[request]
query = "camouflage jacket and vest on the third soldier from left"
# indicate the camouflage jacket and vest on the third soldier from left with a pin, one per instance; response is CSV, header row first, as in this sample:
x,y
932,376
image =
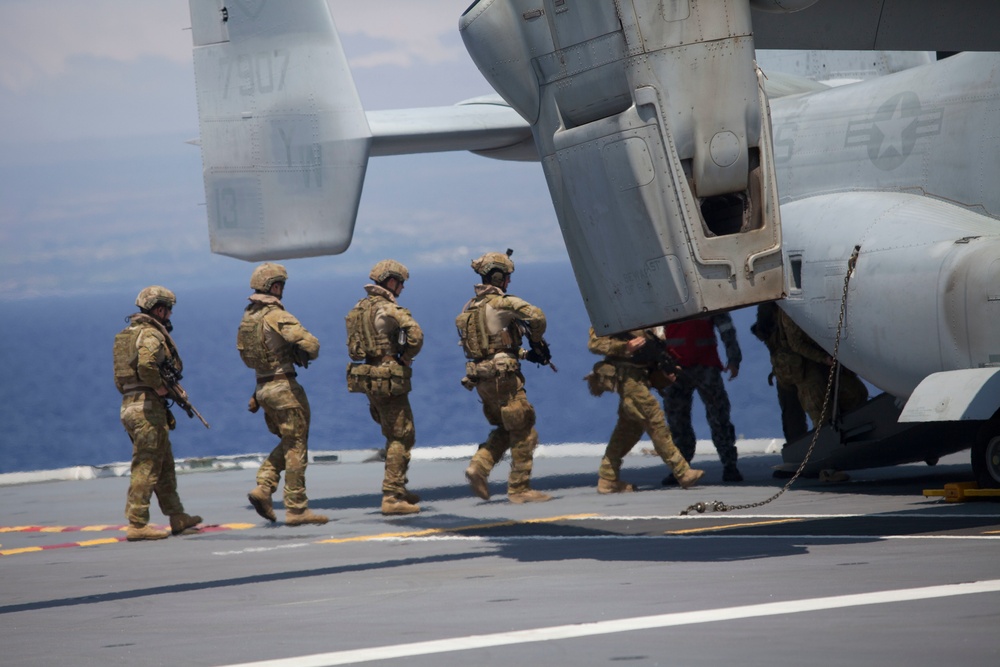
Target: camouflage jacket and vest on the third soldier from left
x,y
388,321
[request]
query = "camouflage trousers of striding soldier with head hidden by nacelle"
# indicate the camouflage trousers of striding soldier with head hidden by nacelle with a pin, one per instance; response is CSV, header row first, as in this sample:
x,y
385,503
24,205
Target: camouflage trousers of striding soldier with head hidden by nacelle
x,y
638,412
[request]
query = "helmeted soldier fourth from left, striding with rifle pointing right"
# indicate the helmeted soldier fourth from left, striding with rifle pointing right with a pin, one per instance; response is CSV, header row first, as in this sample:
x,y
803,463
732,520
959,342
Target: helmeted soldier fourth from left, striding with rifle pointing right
x,y
490,332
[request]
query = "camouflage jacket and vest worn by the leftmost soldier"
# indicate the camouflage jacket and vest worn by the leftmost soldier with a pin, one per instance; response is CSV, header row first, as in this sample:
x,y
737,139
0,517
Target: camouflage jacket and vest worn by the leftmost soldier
x,y
140,348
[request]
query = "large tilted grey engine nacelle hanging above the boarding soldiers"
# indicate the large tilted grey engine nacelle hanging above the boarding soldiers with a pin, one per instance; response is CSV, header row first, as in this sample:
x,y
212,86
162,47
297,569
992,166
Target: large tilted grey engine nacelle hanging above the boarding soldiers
x,y
654,134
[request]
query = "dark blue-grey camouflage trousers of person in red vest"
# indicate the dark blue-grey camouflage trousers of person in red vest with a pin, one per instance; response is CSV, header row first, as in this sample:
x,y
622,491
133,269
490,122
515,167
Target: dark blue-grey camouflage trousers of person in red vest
x,y
677,399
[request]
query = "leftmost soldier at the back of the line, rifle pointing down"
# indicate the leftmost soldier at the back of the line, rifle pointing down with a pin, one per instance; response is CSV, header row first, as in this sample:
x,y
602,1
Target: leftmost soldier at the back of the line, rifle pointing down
x,y
139,351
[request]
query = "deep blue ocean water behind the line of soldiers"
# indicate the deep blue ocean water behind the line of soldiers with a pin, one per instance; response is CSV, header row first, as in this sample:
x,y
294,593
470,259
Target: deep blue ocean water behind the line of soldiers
x,y
59,406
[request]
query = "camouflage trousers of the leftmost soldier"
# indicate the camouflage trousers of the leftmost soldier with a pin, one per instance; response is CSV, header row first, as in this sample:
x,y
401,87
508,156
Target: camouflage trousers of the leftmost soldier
x,y
144,417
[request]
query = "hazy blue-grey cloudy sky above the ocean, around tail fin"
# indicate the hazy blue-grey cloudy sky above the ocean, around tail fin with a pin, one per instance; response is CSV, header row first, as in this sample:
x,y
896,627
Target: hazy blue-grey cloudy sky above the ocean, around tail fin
x,y
100,191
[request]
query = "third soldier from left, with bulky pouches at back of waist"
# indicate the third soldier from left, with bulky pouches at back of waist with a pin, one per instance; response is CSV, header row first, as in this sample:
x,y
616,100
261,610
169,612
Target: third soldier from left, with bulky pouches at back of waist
x,y
385,338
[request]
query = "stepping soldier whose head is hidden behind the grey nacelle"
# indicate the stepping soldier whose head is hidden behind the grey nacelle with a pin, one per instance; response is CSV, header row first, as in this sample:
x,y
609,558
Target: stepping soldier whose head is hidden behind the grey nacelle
x,y
626,370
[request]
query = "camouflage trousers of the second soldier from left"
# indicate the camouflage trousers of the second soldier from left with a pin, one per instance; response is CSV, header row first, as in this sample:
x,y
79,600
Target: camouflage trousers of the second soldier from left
x,y
286,412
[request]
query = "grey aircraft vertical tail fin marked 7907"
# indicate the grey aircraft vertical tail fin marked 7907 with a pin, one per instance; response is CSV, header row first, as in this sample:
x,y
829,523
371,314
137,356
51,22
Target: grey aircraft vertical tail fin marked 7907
x,y
284,138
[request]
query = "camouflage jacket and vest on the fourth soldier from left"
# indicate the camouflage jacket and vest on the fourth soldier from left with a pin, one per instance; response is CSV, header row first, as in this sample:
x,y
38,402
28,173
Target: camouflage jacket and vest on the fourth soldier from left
x,y
494,327
